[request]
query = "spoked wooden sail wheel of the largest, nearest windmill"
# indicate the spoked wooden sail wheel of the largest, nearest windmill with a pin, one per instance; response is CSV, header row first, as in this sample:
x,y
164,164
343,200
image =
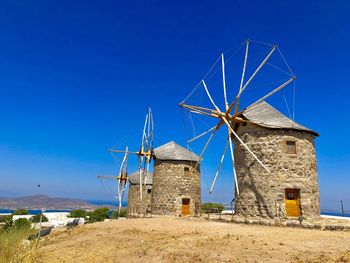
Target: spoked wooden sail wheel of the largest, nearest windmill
x,y
229,117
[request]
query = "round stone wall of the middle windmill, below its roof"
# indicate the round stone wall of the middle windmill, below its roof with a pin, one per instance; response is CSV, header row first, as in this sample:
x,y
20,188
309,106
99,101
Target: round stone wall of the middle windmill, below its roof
x,y
171,184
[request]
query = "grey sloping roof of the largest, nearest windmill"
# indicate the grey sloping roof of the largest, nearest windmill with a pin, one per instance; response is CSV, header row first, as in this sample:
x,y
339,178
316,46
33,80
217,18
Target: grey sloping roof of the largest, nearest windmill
x,y
265,115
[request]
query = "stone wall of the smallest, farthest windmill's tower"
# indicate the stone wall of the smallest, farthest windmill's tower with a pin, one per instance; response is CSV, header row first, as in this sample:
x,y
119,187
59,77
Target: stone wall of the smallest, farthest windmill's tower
x,y
135,206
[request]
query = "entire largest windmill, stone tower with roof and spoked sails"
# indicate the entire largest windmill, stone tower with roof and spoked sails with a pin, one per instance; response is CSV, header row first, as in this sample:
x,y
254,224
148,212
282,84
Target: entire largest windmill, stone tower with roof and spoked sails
x,y
270,178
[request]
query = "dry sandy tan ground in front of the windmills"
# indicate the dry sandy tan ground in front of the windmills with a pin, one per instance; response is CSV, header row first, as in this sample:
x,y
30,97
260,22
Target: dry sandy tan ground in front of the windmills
x,y
192,240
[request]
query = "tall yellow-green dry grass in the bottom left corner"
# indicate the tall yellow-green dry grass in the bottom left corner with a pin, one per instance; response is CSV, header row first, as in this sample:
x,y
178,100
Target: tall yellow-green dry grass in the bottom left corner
x,y
14,246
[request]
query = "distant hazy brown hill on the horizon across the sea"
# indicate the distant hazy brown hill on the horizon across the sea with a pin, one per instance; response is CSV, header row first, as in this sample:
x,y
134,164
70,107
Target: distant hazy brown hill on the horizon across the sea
x,y
45,202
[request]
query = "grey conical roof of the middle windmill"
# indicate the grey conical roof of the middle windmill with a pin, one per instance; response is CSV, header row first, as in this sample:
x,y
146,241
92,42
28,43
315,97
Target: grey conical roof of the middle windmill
x,y
175,152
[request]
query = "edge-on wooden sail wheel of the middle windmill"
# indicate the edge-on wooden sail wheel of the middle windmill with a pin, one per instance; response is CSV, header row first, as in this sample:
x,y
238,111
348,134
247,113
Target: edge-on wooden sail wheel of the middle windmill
x,y
145,153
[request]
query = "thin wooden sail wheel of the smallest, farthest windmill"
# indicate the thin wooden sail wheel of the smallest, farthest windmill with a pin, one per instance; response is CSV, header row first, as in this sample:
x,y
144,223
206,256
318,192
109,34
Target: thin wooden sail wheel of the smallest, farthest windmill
x,y
121,178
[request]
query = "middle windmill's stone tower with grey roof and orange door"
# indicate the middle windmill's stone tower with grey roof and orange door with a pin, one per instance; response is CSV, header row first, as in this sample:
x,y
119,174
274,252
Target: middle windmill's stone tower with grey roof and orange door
x,y
176,181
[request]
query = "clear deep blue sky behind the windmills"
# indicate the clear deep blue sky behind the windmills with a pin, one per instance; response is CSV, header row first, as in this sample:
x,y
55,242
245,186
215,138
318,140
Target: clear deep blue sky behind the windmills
x,y
76,77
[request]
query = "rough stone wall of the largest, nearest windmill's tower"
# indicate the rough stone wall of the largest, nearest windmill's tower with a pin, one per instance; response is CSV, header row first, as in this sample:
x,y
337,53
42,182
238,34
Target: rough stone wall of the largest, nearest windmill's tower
x,y
262,193
